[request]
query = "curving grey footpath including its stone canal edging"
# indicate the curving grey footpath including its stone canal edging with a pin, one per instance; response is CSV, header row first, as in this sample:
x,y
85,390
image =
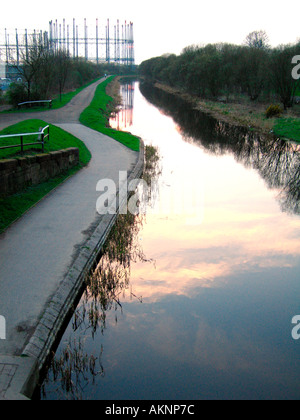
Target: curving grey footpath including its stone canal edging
x,y
44,255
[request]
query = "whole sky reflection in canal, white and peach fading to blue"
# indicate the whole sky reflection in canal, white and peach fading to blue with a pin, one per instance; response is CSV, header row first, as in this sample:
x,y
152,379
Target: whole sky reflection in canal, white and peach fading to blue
x,y
215,321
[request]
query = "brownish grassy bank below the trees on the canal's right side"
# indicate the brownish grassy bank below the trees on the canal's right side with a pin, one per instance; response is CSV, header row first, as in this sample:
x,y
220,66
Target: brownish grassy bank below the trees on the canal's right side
x,y
246,113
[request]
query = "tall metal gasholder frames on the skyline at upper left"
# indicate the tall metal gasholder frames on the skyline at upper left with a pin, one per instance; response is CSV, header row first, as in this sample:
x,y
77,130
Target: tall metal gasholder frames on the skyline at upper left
x,y
102,44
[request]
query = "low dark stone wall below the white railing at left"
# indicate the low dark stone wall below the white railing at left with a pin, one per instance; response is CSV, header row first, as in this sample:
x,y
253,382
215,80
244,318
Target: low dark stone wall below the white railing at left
x,y
18,174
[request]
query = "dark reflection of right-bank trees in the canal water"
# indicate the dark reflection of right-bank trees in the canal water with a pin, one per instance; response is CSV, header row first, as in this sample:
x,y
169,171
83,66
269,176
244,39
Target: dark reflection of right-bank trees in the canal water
x,y
277,161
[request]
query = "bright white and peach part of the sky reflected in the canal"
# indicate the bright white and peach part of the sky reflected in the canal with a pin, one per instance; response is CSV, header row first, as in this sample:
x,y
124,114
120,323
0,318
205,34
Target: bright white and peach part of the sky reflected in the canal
x,y
241,229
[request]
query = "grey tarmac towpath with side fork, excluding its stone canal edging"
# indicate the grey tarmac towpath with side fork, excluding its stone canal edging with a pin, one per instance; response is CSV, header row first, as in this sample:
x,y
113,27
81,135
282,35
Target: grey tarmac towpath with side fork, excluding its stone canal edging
x,y
37,251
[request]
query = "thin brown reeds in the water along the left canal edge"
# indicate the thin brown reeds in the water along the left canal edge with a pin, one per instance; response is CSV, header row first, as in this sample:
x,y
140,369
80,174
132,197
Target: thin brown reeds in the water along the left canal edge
x,y
74,368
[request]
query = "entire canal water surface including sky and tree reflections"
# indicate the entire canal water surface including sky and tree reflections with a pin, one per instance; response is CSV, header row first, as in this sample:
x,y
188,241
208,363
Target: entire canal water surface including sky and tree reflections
x,y
202,305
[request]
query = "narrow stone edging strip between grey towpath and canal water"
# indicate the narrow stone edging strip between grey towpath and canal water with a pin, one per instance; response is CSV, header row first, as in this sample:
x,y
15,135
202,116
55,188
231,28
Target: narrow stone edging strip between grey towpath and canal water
x,y
22,374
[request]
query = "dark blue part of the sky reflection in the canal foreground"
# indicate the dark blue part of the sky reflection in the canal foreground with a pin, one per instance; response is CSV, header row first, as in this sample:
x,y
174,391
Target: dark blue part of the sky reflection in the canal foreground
x,y
230,342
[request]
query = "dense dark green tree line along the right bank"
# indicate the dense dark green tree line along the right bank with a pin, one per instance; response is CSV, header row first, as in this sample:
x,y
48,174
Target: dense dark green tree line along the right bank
x,y
217,70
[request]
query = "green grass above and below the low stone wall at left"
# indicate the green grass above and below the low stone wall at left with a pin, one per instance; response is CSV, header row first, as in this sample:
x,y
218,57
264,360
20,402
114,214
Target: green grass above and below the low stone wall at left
x,y
13,207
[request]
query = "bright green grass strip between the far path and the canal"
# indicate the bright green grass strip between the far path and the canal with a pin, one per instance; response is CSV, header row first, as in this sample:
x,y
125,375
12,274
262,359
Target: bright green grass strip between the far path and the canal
x,y
97,114
